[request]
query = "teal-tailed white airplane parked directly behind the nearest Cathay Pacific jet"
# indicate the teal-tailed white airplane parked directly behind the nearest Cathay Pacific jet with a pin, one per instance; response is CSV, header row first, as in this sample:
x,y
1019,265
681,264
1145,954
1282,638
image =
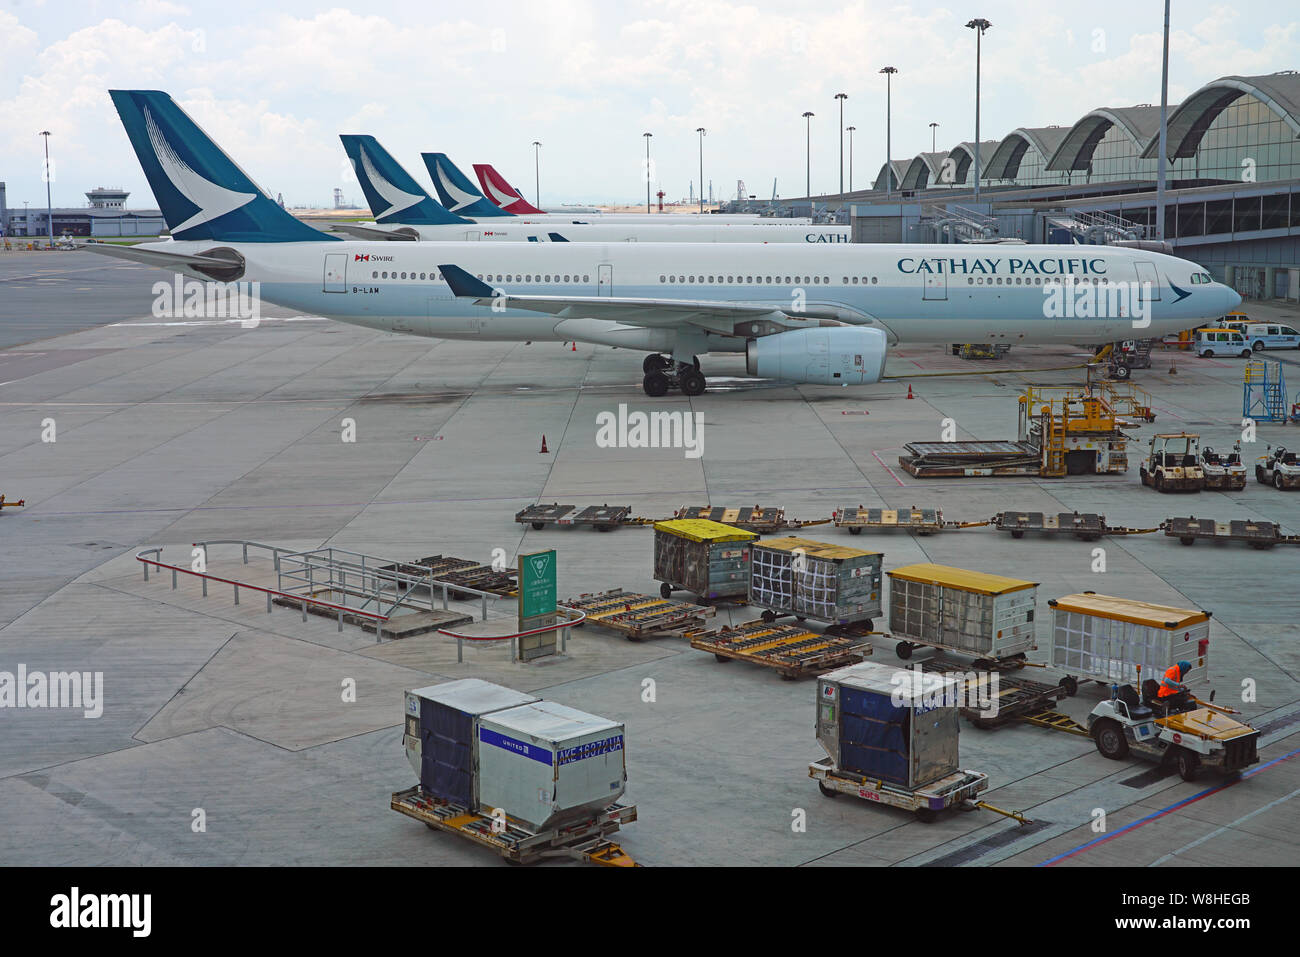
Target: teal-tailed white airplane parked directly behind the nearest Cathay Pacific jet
x,y
404,211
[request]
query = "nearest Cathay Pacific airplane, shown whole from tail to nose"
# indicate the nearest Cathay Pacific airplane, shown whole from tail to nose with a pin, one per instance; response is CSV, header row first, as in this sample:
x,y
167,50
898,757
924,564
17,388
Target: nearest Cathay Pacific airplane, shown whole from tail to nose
x,y
799,314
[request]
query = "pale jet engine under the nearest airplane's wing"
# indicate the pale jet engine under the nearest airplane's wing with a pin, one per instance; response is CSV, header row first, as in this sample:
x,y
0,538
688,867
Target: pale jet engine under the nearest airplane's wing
x,y
838,356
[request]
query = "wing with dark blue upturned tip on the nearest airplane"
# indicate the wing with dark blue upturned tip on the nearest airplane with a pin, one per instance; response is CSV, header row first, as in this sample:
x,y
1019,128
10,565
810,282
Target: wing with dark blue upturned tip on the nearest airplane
x,y
713,315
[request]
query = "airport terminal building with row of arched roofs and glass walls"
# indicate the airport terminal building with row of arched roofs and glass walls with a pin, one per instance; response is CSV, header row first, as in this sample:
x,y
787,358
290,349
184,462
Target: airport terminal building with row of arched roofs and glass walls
x,y
1232,202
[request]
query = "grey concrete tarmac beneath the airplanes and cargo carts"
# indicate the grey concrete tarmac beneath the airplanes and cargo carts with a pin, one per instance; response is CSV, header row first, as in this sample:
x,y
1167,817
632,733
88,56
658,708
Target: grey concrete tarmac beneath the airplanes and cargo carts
x,y
170,432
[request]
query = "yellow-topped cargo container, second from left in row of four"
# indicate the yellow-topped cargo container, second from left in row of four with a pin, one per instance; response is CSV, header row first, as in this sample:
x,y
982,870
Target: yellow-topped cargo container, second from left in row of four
x,y
811,579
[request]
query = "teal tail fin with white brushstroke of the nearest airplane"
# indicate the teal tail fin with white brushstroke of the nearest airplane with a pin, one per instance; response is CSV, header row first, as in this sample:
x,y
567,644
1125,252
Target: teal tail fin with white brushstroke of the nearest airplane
x,y
202,193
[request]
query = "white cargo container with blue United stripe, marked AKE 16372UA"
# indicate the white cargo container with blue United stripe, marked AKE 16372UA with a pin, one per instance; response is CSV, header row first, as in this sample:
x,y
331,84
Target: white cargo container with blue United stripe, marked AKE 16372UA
x,y
548,765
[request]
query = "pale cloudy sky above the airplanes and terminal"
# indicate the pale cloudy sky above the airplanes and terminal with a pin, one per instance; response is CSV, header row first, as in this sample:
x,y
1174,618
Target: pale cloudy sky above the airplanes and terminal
x,y
276,84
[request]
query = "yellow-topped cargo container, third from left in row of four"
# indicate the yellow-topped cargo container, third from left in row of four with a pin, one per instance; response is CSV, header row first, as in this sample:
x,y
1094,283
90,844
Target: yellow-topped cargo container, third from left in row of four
x,y
989,617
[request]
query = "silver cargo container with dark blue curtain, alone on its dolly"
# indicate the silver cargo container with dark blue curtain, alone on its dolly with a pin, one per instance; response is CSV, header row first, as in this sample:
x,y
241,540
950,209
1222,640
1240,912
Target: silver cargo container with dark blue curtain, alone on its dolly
x,y
890,724
